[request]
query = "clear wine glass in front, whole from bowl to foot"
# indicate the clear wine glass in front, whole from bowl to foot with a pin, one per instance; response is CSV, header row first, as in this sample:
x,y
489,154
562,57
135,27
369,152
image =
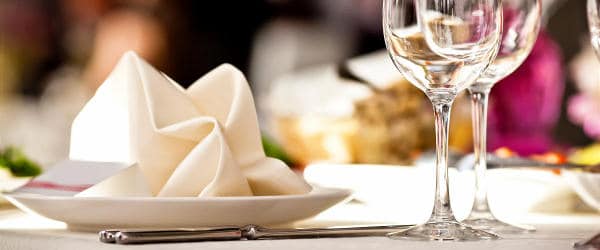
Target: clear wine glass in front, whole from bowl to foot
x,y
441,79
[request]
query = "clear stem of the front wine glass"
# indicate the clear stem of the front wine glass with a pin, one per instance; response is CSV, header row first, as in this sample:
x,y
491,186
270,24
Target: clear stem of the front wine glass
x,y
442,210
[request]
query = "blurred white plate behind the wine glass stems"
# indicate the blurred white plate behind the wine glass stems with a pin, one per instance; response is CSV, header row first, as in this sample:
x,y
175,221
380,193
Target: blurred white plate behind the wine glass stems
x,y
408,191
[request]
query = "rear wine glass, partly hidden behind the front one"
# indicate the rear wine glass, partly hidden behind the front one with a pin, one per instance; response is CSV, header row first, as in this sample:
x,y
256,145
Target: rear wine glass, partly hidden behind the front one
x,y
520,28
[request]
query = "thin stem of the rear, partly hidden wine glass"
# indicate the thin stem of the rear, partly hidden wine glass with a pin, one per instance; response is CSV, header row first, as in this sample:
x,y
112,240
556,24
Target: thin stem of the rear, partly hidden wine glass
x,y
479,101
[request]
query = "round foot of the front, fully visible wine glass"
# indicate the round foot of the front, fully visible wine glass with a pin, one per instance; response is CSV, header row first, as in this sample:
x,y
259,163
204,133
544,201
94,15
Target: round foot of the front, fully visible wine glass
x,y
443,231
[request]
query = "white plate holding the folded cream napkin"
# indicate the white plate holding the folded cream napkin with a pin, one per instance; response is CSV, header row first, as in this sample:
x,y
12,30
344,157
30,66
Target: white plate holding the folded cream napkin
x,y
92,213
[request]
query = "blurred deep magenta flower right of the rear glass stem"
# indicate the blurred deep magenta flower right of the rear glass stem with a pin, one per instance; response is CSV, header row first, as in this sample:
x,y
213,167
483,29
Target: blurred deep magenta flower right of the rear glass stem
x,y
525,106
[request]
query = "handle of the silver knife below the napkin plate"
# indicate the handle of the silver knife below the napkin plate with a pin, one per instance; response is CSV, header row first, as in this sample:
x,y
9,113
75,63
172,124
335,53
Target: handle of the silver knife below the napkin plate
x,y
144,237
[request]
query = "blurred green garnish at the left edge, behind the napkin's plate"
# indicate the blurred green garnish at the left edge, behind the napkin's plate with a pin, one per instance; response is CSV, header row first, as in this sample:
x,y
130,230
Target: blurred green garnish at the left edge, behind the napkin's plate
x,y
17,163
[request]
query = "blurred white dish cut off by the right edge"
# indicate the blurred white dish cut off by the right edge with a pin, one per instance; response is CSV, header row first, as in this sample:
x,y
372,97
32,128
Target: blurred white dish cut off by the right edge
x,y
586,185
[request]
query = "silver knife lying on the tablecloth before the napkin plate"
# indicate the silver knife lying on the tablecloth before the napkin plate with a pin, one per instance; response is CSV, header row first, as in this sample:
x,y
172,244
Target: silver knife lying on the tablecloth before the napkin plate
x,y
248,232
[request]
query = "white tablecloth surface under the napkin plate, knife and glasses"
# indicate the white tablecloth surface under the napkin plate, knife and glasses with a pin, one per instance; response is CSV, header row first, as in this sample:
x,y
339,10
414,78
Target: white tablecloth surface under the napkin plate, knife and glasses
x,y
559,231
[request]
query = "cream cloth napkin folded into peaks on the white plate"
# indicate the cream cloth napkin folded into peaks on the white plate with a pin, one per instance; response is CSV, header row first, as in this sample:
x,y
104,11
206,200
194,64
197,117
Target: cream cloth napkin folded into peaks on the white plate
x,y
203,141
